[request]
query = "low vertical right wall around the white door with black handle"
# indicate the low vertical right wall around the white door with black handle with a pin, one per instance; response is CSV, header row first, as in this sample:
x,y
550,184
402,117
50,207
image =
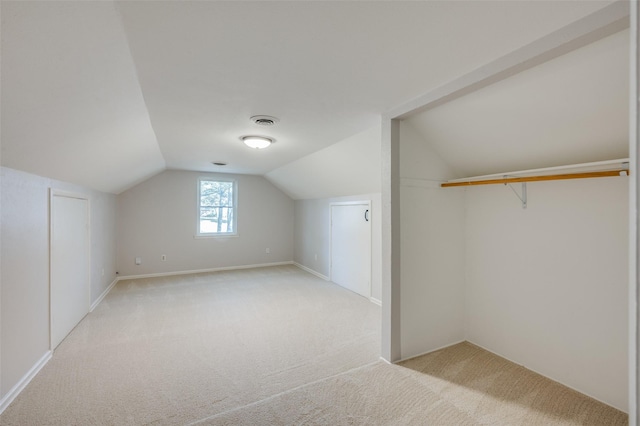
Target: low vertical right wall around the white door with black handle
x,y
312,236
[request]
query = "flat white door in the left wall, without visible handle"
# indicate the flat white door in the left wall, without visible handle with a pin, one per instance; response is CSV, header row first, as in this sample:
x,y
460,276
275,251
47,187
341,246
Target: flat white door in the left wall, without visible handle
x,y
69,285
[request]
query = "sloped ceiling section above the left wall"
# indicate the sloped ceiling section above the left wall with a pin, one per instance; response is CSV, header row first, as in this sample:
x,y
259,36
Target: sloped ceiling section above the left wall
x,y
72,108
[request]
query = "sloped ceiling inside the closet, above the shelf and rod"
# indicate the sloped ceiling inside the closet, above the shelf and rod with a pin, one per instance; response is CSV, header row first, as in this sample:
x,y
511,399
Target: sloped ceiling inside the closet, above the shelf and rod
x,y
571,110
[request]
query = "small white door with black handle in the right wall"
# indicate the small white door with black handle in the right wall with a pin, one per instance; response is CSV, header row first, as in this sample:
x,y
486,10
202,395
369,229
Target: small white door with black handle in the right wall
x,y
351,247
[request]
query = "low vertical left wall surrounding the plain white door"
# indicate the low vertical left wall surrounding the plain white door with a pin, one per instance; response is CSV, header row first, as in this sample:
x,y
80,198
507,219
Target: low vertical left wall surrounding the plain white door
x,y
24,272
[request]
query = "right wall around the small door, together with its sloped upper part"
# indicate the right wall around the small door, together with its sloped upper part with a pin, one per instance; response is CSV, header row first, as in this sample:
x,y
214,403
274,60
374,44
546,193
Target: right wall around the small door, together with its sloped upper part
x,y
334,174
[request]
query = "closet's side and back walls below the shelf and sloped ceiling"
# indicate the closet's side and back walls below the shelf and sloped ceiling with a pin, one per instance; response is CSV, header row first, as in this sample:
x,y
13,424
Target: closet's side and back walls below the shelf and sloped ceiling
x,y
545,286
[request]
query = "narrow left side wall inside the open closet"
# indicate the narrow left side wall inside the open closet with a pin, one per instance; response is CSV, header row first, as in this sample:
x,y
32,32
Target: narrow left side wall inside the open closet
x,y
432,249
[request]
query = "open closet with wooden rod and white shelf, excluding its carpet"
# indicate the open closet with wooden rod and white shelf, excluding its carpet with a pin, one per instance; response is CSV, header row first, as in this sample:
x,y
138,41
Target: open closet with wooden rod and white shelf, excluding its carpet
x,y
542,280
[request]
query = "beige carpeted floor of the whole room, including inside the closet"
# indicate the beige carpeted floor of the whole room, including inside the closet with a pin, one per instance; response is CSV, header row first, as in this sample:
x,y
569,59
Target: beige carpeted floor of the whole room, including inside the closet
x,y
273,346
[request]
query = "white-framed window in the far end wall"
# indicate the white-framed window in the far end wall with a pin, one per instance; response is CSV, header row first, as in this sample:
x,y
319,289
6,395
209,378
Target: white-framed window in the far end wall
x,y
217,207
